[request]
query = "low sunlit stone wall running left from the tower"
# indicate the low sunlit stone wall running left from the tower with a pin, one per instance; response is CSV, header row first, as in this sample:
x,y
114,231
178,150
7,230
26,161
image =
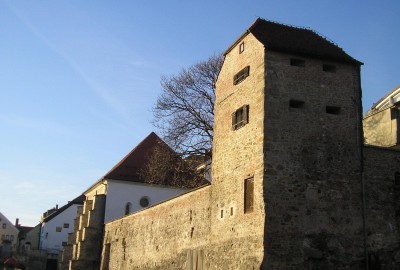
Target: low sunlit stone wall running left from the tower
x,y
161,236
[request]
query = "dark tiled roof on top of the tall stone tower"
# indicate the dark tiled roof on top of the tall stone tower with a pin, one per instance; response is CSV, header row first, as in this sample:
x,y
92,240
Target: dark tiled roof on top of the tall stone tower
x,y
295,40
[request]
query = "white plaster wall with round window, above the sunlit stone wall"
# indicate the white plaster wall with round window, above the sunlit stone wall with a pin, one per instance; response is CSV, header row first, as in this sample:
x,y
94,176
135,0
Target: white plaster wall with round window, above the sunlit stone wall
x,y
119,193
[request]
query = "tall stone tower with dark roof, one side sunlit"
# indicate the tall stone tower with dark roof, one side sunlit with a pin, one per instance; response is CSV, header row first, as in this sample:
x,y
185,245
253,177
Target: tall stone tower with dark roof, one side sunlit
x,y
287,150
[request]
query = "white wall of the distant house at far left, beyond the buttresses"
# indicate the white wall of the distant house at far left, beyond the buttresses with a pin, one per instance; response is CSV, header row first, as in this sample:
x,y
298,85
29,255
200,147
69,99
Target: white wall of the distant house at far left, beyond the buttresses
x,y
53,242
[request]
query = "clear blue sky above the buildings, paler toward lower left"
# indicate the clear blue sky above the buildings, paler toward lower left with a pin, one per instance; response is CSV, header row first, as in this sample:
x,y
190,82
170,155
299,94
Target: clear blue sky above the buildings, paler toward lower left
x,y
78,79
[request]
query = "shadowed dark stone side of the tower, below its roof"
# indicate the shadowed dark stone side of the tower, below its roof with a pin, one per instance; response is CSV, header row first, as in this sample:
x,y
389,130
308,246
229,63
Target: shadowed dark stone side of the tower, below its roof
x,y
312,165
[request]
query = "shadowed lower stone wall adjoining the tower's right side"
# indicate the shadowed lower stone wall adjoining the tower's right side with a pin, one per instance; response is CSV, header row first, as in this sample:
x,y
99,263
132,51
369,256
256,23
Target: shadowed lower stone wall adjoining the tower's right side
x,y
382,195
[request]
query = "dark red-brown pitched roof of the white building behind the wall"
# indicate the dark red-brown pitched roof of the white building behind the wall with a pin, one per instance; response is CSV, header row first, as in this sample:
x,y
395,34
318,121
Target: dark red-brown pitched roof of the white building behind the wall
x,y
129,168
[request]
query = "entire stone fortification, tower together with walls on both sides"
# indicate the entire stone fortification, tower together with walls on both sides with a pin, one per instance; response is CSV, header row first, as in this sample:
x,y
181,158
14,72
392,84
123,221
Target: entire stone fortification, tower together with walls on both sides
x,y
293,185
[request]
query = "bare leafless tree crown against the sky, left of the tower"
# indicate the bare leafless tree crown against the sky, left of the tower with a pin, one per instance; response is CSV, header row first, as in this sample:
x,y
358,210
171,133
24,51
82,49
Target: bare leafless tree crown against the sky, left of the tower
x,y
184,112
